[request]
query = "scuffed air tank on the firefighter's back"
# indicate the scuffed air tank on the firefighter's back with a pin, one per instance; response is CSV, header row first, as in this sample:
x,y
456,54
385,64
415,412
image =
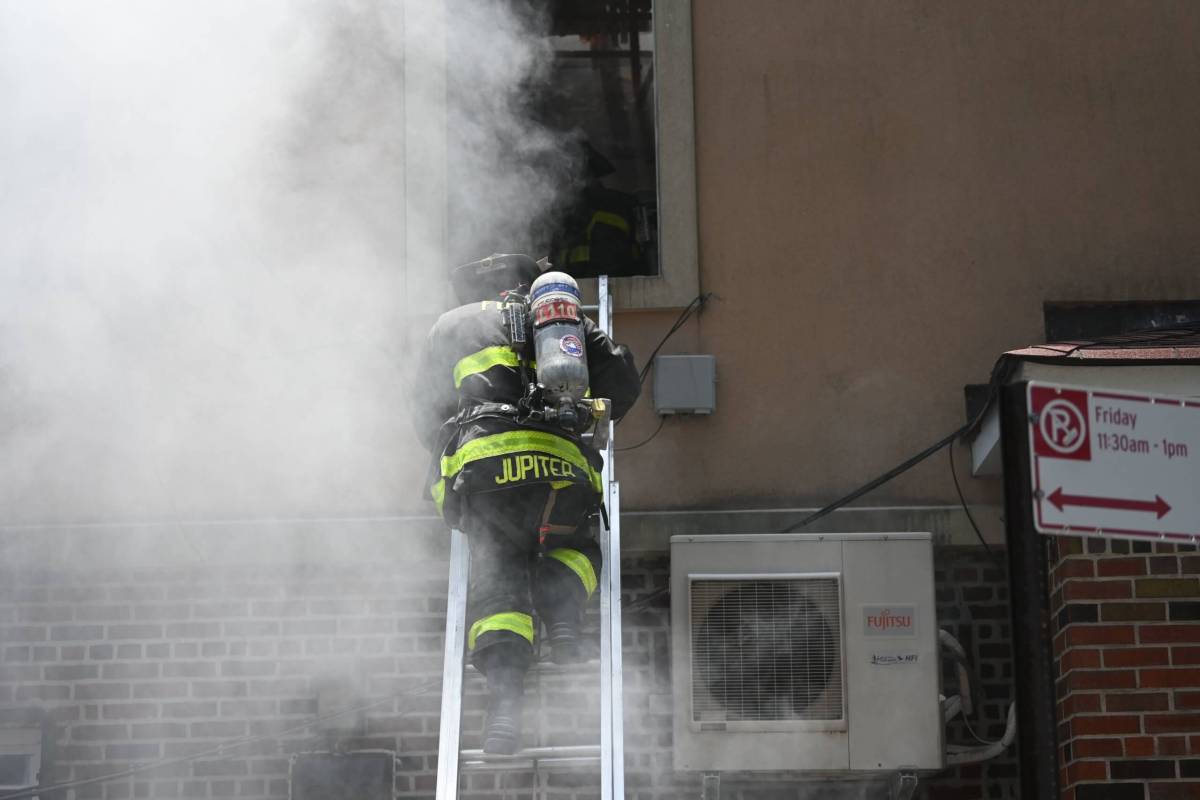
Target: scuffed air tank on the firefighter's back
x,y
560,344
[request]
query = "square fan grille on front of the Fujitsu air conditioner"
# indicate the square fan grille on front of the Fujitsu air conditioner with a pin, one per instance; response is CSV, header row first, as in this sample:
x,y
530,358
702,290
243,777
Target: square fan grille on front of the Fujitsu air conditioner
x,y
766,649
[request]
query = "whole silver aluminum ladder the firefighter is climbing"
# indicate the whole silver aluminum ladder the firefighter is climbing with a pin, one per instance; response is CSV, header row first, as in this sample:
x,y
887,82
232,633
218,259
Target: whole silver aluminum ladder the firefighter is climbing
x,y
611,751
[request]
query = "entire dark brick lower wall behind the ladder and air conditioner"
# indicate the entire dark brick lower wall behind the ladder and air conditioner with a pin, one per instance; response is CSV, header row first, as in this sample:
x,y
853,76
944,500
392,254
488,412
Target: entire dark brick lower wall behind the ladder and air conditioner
x,y
139,665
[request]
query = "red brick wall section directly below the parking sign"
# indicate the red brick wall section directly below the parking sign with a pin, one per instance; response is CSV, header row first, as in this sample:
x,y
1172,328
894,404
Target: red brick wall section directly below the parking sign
x,y
1127,646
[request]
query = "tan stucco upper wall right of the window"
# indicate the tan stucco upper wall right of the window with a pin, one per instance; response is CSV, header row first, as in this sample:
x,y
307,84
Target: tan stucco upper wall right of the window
x,y
889,193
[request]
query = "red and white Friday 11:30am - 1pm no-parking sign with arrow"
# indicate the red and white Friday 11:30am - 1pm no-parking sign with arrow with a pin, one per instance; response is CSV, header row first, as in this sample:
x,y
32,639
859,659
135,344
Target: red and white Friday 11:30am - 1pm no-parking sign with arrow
x,y
1114,464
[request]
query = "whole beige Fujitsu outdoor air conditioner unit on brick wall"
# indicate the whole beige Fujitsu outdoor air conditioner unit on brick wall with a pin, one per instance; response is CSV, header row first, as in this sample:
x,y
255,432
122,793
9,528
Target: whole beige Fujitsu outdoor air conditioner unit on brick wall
x,y
806,652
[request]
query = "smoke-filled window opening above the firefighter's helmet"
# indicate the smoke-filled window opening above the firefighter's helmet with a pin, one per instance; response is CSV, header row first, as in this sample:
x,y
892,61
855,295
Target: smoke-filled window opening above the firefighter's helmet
x,y
589,141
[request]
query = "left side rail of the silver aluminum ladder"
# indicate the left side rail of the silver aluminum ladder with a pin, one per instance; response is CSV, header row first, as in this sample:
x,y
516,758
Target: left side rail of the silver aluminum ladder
x,y
454,663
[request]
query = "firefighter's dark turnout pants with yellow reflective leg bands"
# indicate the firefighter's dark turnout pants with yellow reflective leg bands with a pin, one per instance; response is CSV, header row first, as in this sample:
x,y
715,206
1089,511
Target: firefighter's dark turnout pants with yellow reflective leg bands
x,y
530,550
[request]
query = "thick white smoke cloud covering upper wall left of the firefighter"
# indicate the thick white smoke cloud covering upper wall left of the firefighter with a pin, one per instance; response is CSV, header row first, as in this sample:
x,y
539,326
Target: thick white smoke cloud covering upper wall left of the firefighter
x,y
220,243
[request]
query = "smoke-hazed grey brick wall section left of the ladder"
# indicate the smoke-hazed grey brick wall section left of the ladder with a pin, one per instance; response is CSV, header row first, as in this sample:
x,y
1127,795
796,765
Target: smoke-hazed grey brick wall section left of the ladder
x,y
146,665
